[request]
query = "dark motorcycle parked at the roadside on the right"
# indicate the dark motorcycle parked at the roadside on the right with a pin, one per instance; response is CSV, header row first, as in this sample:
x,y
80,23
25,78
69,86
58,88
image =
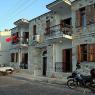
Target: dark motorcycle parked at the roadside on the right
x,y
77,79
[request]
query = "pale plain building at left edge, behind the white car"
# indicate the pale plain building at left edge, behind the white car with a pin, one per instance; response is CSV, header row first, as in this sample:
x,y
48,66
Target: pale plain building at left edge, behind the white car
x,y
4,48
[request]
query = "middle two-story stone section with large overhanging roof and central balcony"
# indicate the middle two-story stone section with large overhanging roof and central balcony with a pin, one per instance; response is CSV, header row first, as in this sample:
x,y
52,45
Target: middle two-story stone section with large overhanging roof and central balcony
x,y
50,41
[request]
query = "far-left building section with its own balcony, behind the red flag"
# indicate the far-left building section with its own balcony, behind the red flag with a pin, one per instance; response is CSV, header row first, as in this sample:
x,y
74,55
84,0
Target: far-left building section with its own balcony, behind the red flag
x,y
19,44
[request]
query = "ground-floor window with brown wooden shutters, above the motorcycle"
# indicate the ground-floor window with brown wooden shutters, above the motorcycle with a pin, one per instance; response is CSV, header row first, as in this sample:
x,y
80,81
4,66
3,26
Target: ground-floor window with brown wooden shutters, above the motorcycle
x,y
86,52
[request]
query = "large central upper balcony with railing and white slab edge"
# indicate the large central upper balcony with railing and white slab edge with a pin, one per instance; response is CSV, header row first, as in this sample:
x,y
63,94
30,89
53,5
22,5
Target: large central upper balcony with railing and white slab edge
x,y
58,31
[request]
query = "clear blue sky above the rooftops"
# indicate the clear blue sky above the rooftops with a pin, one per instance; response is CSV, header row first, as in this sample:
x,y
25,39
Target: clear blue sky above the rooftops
x,y
12,10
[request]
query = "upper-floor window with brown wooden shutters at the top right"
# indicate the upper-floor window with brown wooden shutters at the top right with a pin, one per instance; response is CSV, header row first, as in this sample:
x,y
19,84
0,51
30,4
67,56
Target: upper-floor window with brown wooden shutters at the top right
x,y
85,16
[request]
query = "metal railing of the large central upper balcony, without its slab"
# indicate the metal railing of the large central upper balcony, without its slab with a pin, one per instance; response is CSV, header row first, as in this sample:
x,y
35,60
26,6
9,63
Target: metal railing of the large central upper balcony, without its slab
x,y
58,29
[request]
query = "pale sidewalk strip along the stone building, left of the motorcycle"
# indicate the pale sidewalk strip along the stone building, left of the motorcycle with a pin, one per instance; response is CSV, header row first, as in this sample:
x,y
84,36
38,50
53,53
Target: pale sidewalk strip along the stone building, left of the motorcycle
x,y
40,79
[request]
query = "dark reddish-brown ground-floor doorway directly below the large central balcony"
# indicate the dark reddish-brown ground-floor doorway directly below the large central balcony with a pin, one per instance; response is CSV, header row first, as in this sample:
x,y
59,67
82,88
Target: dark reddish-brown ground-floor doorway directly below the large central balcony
x,y
67,60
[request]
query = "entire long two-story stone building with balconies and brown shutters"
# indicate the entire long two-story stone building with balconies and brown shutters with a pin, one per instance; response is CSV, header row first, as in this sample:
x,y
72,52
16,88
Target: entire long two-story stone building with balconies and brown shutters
x,y
58,40
